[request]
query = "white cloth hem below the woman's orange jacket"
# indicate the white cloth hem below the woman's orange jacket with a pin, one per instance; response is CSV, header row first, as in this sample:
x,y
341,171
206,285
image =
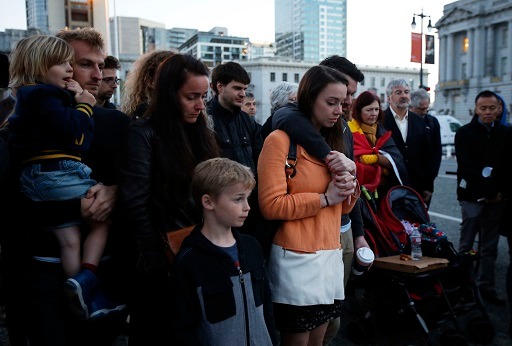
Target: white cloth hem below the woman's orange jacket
x,y
303,279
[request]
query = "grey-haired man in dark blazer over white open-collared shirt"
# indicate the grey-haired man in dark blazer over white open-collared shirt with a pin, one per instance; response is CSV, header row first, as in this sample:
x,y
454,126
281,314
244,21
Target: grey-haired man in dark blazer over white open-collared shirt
x,y
410,136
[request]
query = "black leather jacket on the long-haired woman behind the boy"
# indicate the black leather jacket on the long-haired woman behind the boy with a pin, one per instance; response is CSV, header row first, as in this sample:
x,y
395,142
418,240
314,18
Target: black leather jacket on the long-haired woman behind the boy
x,y
149,208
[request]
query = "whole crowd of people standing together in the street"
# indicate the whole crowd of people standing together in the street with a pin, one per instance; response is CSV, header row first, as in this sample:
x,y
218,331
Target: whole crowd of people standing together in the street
x,y
92,188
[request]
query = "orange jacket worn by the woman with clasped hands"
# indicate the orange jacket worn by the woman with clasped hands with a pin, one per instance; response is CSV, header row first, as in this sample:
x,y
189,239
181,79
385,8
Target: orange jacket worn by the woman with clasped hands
x,y
308,227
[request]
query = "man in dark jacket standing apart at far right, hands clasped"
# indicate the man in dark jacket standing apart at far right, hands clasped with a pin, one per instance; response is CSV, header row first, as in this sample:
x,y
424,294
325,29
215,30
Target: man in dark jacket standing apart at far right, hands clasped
x,y
480,188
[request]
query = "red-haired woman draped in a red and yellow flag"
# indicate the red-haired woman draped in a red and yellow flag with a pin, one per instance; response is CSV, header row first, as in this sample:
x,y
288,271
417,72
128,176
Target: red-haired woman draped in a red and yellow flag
x,y
380,165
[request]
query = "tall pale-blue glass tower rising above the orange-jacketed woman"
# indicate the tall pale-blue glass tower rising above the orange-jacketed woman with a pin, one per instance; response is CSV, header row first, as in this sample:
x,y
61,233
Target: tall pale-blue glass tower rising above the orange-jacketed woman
x,y
310,30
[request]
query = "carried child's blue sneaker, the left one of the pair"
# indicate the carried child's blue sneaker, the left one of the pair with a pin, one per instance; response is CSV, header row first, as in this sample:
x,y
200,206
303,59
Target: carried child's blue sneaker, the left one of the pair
x,y
79,289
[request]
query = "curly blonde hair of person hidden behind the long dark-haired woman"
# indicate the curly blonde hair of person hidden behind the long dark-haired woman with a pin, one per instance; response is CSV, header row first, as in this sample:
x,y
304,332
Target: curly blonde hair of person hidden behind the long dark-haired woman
x,y
139,83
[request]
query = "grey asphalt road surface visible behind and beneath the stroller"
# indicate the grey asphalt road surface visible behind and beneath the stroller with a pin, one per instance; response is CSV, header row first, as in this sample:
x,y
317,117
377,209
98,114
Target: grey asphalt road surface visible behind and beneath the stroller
x,y
445,212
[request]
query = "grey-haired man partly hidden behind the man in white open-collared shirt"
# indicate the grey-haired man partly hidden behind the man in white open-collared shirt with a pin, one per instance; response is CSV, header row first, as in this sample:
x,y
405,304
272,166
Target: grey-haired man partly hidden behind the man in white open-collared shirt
x,y
420,102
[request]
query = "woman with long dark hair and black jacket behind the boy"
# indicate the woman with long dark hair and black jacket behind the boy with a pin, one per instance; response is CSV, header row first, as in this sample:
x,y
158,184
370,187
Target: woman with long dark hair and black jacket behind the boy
x,y
163,148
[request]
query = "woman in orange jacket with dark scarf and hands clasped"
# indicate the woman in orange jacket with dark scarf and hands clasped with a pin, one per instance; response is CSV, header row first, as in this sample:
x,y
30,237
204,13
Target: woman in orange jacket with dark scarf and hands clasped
x,y
305,266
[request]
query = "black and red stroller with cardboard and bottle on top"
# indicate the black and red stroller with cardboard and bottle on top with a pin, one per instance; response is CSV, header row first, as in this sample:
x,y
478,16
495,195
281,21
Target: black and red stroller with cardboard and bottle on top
x,y
425,301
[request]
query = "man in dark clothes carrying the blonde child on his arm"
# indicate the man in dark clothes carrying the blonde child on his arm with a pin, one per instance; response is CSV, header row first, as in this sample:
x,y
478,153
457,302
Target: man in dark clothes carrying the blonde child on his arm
x,y
32,255
